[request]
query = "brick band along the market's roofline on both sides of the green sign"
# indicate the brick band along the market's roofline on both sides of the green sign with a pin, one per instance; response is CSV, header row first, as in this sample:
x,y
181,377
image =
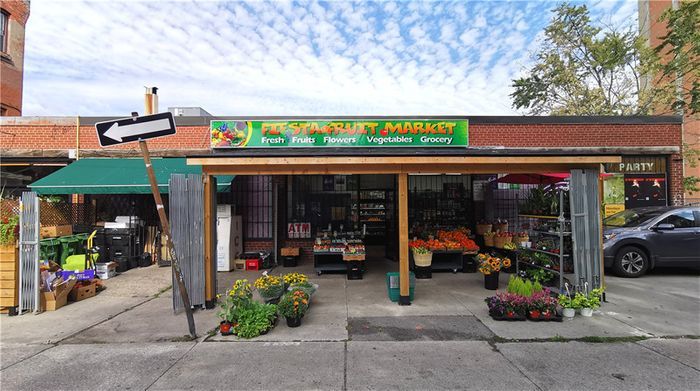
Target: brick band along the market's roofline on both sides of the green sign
x,y
47,135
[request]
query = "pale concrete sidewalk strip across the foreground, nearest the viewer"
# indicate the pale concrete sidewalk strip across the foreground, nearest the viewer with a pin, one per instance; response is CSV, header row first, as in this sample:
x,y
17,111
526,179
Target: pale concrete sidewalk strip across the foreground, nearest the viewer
x,y
358,365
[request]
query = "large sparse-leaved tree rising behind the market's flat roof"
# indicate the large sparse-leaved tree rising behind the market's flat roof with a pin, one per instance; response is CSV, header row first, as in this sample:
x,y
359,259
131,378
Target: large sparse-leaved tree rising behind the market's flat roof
x,y
582,69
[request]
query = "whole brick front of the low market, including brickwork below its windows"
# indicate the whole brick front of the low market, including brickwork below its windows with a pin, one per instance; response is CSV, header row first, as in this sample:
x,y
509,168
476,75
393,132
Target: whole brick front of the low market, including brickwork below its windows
x,y
50,138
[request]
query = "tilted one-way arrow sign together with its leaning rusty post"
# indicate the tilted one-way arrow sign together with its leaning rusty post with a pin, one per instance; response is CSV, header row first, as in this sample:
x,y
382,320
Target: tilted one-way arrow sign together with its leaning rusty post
x,y
139,129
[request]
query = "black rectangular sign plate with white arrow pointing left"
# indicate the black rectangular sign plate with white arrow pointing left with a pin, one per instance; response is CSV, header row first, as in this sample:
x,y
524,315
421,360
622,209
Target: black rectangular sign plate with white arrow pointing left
x,y
127,130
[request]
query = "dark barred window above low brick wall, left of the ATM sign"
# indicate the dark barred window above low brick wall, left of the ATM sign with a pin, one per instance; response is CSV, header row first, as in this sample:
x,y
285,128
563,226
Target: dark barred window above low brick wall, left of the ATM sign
x,y
253,198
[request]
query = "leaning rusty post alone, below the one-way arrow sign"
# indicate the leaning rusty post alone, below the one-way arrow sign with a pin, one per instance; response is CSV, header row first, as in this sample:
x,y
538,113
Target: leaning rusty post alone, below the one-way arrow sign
x,y
165,226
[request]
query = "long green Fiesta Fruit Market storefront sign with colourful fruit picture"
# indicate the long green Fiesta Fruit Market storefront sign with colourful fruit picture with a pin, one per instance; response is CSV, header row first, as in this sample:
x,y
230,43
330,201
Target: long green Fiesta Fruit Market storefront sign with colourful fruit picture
x,y
339,133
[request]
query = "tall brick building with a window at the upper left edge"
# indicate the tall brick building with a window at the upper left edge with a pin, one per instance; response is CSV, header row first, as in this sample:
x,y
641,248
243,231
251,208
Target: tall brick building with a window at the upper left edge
x,y
15,14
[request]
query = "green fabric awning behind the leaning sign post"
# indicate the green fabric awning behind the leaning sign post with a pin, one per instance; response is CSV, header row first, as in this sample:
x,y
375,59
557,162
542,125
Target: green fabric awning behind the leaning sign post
x,y
117,176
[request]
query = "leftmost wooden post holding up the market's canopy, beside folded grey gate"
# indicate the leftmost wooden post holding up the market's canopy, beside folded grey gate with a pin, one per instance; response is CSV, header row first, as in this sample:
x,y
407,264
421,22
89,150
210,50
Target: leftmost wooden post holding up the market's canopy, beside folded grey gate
x,y
209,261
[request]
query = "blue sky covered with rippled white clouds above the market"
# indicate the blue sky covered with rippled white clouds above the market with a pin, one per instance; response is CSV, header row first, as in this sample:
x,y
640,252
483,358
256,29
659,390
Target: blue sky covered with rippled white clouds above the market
x,y
285,58
